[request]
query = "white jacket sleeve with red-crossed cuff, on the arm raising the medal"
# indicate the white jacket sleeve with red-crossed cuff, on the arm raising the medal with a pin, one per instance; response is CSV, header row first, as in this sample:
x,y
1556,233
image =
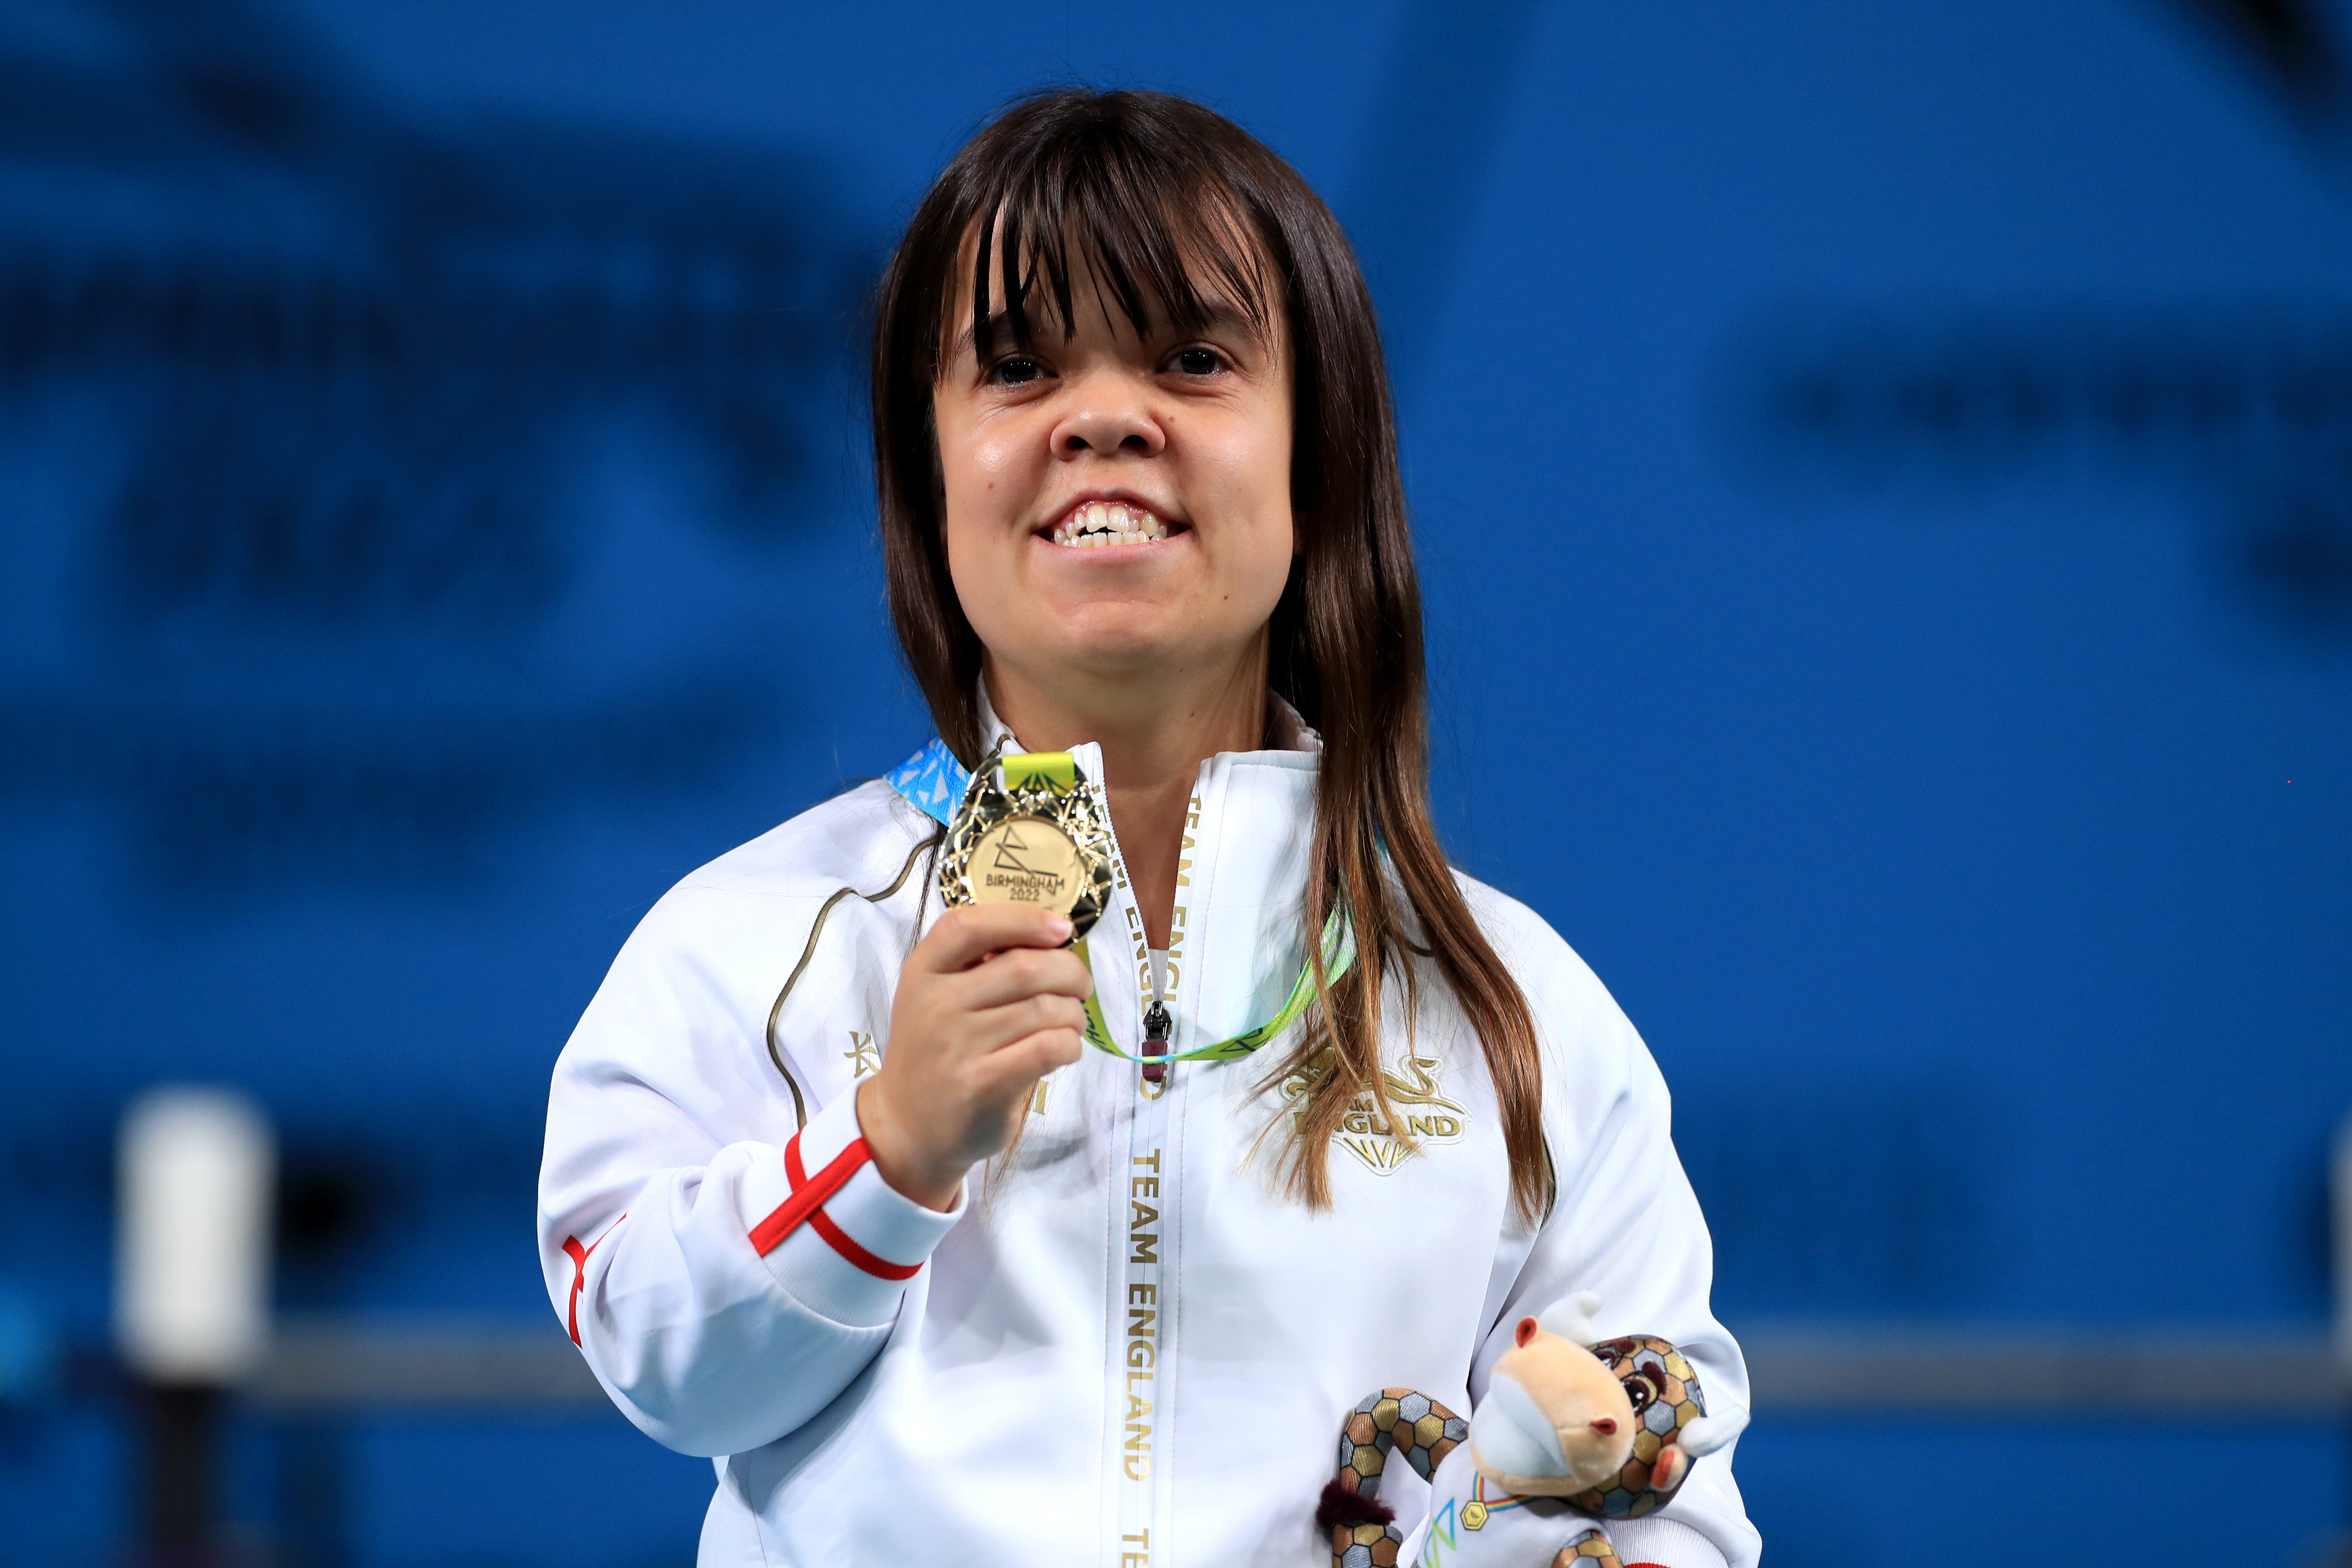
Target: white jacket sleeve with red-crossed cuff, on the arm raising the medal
x,y
721,1292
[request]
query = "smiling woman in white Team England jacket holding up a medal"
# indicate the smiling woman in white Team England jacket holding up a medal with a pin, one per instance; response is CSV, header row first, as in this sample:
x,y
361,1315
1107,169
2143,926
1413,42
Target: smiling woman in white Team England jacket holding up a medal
x,y
836,1191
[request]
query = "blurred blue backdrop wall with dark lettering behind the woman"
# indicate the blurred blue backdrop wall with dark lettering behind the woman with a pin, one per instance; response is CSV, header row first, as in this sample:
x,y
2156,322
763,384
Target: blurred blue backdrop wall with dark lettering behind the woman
x,y
1885,481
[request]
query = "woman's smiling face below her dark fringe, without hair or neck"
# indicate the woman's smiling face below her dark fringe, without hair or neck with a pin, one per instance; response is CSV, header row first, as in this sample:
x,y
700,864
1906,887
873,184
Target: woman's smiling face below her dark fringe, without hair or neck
x,y
1118,502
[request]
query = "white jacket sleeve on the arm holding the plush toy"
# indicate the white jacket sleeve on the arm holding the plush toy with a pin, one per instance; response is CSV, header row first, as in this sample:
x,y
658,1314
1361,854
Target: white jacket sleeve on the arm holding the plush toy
x,y
1626,1228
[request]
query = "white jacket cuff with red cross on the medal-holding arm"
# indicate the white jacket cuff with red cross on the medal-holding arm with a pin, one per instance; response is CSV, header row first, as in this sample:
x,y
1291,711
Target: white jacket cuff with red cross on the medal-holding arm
x,y
855,1278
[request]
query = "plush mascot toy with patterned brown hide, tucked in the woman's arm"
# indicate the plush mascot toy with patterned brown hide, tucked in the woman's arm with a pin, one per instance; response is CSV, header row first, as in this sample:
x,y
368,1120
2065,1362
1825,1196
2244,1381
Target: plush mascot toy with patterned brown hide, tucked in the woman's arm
x,y
1565,1440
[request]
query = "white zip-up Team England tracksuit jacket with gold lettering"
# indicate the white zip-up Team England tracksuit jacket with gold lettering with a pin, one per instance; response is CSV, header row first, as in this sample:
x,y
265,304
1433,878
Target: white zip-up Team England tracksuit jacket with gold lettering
x,y
1125,1351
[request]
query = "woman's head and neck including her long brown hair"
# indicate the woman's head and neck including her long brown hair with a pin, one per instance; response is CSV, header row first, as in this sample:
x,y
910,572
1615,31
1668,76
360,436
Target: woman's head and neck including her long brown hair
x,y
1130,297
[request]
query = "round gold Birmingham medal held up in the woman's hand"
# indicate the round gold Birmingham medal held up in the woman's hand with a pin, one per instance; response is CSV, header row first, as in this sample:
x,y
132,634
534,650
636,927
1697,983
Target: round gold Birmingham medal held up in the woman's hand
x,y
1031,833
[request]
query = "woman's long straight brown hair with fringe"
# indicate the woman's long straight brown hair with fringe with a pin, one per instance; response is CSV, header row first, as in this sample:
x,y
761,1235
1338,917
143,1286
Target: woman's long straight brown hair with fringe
x,y
1151,192
